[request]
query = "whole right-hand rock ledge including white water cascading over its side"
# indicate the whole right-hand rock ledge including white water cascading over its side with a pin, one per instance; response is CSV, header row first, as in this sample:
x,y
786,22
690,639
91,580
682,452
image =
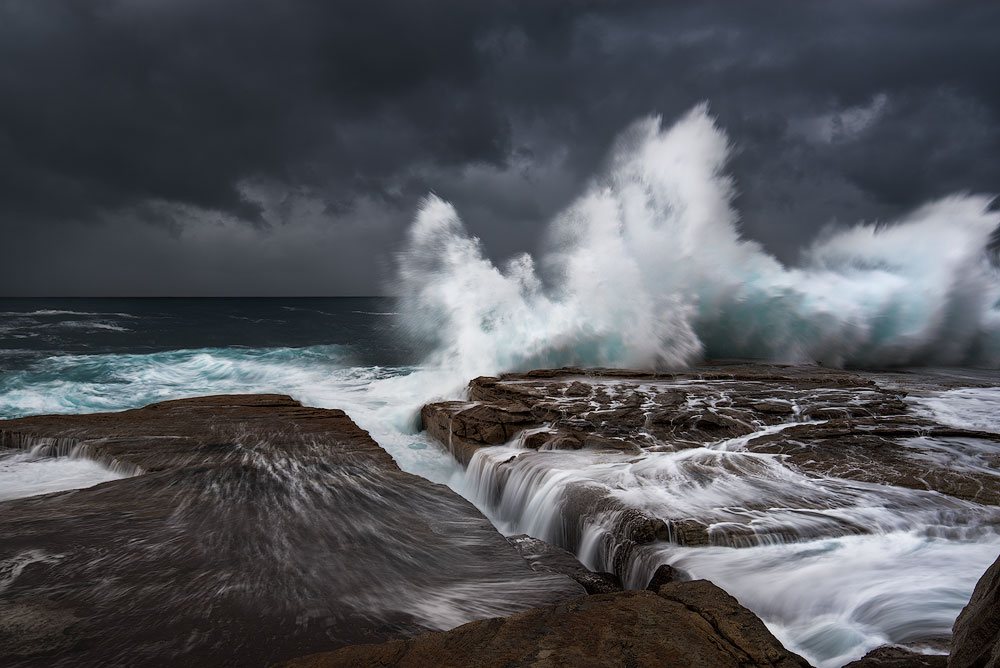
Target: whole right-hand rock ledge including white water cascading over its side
x,y
635,470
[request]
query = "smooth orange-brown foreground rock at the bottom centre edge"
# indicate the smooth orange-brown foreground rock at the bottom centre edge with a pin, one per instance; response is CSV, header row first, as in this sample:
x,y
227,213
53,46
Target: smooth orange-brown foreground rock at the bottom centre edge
x,y
683,624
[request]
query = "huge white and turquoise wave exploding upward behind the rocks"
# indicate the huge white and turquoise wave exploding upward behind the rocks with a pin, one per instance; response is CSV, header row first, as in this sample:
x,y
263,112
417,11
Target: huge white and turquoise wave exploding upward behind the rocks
x,y
648,268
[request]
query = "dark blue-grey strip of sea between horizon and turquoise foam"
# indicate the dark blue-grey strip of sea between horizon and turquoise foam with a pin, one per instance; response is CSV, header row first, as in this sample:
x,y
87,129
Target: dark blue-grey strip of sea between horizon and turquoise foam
x,y
32,329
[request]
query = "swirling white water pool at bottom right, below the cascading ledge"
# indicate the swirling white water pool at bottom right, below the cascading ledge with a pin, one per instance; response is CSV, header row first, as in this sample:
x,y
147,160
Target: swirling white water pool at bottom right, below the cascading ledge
x,y
833,600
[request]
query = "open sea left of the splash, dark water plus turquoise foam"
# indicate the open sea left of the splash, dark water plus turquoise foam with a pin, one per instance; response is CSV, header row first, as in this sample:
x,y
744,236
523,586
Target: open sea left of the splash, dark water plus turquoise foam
x,y
85,355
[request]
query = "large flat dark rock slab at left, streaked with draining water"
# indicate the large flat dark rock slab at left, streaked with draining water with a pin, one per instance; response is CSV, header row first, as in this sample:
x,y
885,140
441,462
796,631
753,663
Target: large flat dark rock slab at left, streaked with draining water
x,y
251,529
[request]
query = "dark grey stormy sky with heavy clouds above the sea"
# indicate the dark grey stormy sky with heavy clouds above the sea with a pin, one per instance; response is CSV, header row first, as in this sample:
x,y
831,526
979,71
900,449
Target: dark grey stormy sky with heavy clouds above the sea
x,y
251,147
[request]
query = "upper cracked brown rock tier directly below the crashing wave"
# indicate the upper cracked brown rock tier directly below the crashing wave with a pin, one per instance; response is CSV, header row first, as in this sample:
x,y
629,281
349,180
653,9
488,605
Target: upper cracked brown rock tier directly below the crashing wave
x,y
842,424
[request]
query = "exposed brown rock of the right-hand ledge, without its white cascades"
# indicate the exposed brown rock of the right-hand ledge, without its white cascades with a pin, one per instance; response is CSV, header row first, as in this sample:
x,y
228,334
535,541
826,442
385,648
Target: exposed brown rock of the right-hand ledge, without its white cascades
x,y
822,422
